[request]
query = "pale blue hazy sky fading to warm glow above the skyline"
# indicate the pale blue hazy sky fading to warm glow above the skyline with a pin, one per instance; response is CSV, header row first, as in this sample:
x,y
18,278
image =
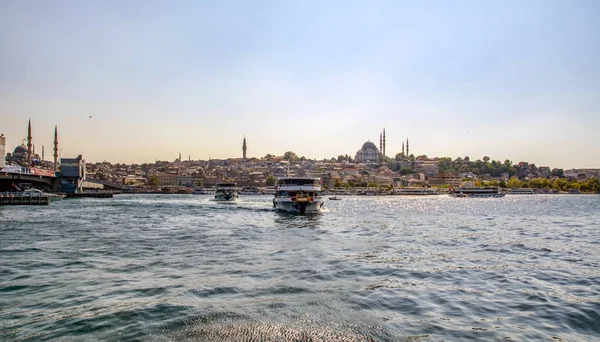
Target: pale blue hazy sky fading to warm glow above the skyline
x,y
516,80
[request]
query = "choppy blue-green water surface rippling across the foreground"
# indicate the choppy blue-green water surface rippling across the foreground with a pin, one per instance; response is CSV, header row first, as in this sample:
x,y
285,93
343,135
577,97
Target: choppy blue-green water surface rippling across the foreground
x,y
176,267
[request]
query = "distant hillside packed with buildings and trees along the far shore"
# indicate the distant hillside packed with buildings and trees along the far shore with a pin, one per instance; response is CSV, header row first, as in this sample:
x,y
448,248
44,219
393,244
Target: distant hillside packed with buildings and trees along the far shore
x,y
345,172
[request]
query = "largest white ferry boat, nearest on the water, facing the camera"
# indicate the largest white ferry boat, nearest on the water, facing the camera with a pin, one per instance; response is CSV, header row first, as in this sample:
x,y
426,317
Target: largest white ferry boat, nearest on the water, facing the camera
x,y
298,195
